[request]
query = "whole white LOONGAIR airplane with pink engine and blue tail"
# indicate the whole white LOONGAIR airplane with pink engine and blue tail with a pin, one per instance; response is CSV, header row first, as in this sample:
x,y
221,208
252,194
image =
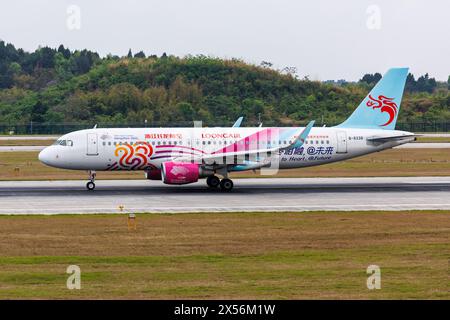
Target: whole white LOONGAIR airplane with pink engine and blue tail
x,y
184,155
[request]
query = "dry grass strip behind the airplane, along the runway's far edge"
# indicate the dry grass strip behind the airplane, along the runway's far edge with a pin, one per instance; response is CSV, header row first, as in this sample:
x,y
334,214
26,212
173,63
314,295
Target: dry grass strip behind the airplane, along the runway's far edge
x,y
394,162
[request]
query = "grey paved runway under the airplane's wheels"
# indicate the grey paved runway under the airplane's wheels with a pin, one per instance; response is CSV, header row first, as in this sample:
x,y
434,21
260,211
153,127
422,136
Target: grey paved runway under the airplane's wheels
x,y
260,194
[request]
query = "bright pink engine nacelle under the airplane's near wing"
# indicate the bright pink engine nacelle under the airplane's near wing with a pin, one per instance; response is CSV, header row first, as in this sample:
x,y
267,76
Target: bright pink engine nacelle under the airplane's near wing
x,y
180,172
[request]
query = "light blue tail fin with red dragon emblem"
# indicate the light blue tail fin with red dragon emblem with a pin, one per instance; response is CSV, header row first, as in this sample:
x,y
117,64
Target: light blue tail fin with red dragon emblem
x,y
380,108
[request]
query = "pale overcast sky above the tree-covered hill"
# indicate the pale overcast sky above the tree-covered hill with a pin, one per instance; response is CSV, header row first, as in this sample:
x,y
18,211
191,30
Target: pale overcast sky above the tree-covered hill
x,y
322,39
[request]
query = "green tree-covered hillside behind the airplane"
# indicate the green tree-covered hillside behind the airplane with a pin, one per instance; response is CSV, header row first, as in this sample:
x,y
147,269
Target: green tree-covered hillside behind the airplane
x,y
61,86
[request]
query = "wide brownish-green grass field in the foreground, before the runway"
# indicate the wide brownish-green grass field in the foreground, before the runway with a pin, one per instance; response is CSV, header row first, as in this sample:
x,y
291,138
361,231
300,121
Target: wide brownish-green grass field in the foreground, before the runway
x,y
227,255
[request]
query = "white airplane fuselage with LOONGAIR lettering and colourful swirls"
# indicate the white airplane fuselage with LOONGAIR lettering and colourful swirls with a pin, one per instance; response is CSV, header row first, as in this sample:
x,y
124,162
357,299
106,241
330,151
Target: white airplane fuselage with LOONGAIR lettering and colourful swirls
x,y
105,149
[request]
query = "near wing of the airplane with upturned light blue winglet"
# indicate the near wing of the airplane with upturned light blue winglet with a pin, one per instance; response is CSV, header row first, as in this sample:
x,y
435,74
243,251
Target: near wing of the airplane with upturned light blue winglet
x,y
256,153
